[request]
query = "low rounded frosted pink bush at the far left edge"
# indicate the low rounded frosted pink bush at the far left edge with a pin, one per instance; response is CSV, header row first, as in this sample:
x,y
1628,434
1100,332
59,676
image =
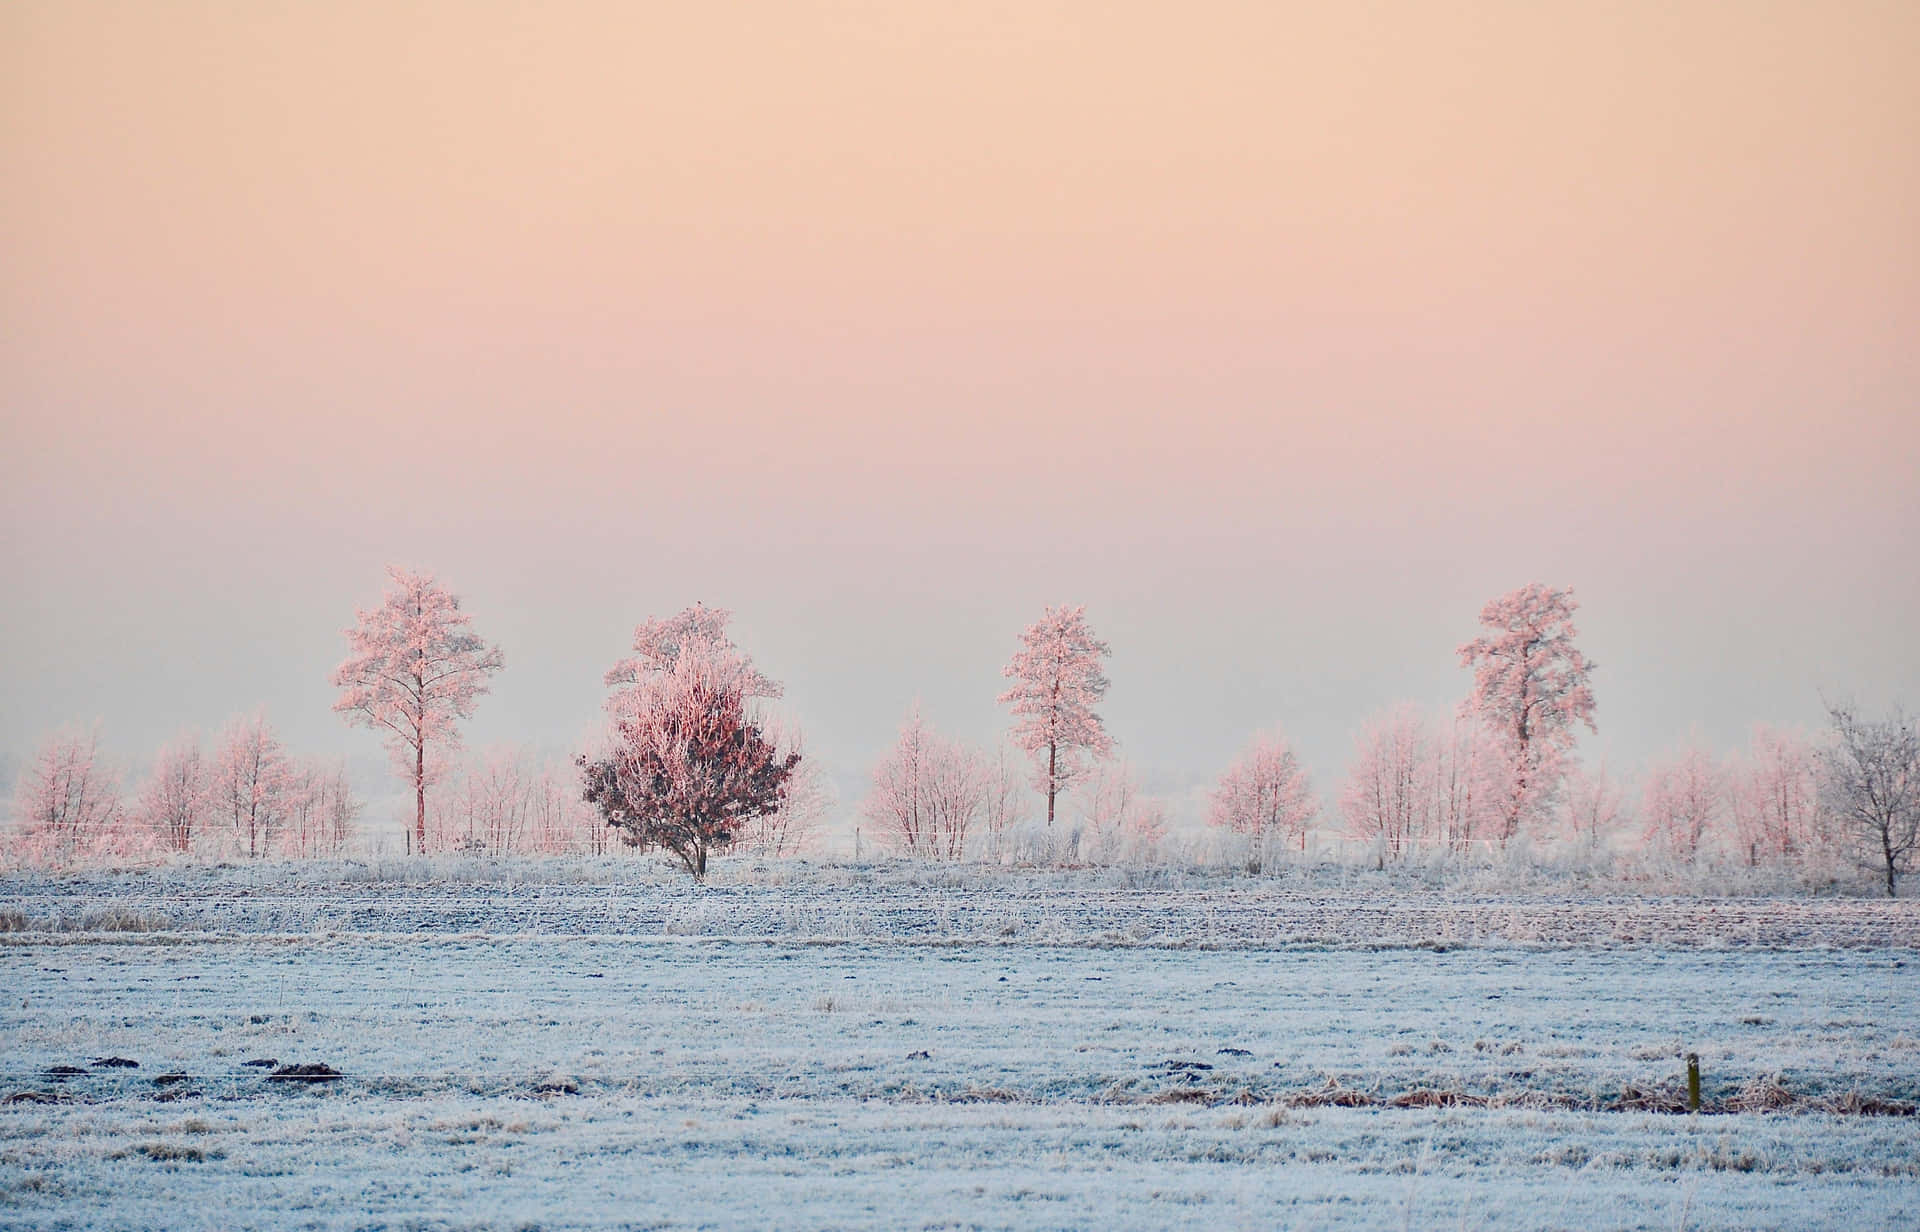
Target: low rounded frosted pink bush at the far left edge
x,y
68,801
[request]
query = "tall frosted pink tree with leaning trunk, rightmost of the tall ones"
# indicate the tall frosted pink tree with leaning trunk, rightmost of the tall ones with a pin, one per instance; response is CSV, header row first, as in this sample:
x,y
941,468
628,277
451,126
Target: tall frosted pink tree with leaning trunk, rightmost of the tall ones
x,y
1529,686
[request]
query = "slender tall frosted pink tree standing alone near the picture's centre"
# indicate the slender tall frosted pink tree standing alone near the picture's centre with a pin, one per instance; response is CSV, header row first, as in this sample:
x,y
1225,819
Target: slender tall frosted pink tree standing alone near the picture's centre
x,y
1057,686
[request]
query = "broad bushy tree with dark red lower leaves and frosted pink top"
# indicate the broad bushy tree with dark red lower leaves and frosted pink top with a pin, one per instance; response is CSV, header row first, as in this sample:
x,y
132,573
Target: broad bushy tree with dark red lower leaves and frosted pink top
x,y
690,765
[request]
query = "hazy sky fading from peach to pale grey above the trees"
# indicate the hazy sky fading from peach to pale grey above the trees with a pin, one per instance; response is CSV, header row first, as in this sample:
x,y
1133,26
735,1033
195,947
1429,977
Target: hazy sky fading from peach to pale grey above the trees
x,y
1280,335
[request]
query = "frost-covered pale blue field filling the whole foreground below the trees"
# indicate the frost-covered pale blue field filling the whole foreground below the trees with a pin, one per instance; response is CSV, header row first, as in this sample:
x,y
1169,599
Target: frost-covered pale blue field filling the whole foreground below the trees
x,y
581,1045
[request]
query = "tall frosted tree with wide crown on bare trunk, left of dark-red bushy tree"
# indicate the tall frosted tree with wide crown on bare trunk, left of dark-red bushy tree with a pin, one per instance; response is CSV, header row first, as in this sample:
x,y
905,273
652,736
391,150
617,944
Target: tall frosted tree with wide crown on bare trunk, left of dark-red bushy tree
x,y
414,671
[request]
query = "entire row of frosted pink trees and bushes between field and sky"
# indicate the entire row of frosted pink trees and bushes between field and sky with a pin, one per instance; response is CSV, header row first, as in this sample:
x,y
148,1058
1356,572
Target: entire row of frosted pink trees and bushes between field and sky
x,y
692,765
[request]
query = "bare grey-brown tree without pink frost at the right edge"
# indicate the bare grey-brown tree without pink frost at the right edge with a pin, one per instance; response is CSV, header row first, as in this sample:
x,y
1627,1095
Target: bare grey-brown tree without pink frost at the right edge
x,y
1871,782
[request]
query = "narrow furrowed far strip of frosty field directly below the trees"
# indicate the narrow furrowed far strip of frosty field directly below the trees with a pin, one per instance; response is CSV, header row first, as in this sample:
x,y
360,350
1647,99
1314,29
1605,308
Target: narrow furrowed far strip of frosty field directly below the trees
x,y
928,905
